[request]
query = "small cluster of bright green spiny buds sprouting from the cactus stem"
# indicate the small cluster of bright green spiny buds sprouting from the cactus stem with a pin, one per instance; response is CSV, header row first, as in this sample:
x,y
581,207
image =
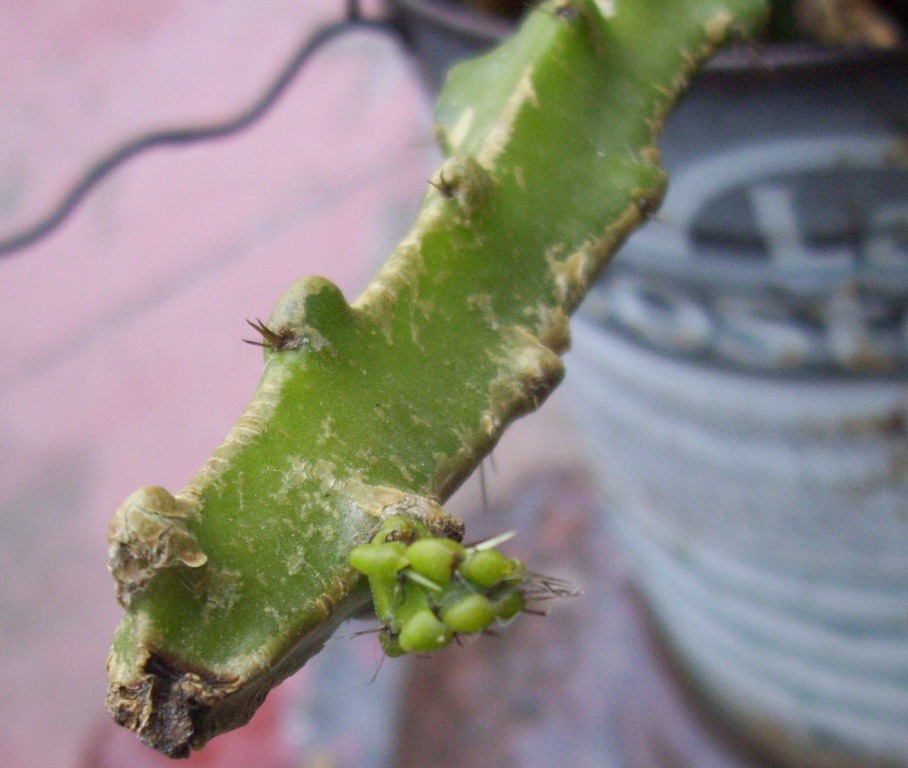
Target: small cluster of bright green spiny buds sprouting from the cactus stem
x,y
428,590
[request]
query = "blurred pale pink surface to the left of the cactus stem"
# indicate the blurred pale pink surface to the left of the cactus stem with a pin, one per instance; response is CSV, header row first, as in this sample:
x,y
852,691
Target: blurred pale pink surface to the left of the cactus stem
x,y
120,333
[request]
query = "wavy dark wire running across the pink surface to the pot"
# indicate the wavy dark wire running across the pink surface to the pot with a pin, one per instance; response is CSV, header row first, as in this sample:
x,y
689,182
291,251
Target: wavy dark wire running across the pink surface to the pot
x,y
189,134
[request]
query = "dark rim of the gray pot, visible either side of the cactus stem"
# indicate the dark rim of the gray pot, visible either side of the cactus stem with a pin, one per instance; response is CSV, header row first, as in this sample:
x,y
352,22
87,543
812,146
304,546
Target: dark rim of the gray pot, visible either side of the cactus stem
x,y
752,59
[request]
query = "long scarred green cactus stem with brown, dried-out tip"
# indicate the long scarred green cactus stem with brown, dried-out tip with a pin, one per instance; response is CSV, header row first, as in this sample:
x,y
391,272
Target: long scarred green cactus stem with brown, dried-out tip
x,y
383,408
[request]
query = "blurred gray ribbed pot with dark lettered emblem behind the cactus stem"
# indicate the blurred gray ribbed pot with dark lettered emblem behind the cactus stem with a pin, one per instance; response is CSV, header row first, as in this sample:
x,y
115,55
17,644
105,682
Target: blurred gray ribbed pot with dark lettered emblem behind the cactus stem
x,y
741,375
